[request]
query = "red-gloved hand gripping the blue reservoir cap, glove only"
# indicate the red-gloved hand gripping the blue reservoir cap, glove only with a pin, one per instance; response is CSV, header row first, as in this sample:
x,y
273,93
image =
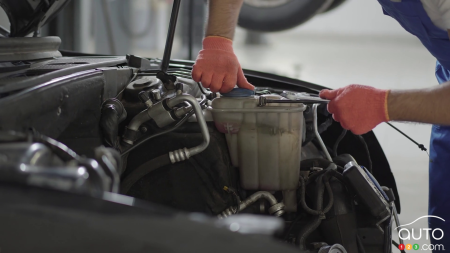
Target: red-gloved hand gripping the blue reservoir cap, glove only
x,y
217,67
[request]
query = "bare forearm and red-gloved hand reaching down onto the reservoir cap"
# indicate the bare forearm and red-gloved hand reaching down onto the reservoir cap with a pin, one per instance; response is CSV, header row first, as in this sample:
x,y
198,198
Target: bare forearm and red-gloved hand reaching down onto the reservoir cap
x,y
217,67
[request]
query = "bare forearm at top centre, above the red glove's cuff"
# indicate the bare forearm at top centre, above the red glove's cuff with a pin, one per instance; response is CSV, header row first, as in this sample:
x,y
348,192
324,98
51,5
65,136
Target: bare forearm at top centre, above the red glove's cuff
x,y
222,18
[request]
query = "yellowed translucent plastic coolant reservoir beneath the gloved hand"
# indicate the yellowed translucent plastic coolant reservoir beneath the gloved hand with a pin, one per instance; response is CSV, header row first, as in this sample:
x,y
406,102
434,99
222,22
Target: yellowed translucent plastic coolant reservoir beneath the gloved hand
x,y
264,141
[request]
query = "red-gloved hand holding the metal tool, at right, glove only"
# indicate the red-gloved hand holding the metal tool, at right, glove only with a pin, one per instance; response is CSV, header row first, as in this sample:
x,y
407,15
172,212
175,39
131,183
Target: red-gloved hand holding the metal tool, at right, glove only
x,y
358,108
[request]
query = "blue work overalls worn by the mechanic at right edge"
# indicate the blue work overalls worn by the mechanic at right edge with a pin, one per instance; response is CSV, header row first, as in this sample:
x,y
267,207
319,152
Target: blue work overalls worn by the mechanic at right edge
x,y
412,17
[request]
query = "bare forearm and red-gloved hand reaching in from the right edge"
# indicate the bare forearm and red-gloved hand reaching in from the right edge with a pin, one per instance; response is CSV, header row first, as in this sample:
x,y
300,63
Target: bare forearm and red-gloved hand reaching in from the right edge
x,y
360,108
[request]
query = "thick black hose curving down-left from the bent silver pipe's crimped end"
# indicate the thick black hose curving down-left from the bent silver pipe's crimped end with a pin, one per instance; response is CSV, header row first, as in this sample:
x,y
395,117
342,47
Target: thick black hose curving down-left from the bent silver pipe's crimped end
x,y
143,170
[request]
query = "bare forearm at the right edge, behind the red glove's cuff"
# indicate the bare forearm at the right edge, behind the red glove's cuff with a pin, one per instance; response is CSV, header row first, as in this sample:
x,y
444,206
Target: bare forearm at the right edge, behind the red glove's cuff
x,y
431,105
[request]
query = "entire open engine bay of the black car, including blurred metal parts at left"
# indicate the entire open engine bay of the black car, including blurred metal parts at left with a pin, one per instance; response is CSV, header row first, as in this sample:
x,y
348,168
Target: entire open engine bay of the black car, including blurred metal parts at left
x,y
272,152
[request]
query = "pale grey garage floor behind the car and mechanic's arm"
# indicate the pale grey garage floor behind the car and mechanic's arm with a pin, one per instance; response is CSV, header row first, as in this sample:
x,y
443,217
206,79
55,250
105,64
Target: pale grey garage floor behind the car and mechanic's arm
x,y
382,62
